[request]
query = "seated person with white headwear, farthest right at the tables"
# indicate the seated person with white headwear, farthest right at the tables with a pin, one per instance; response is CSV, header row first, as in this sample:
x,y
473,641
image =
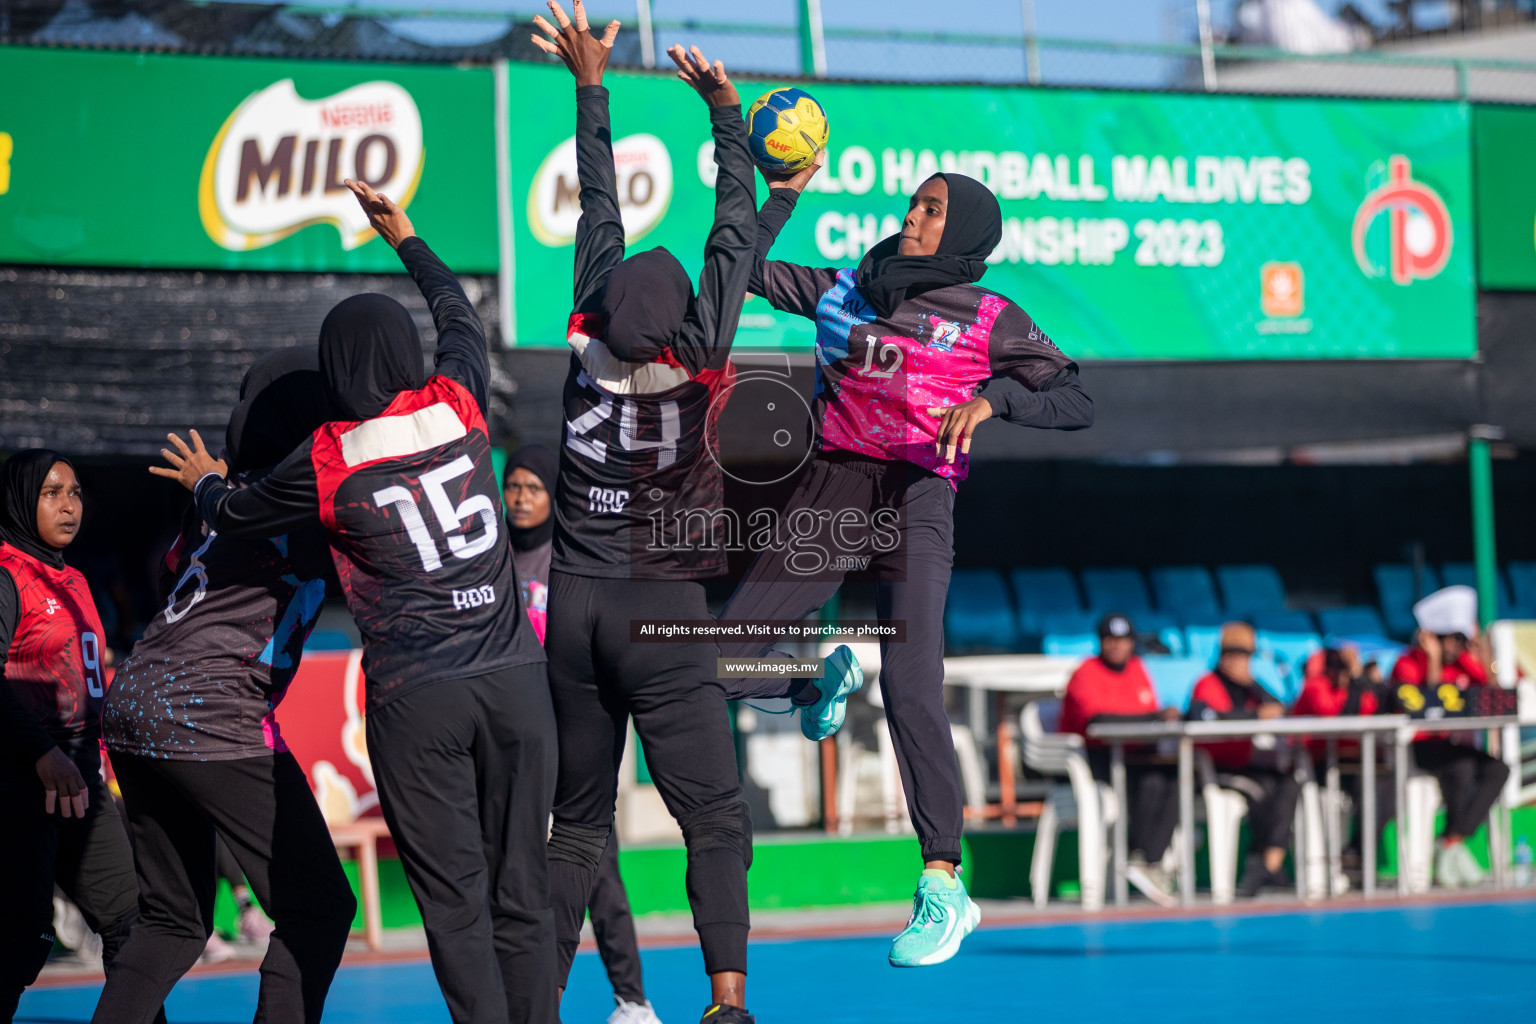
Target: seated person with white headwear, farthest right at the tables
x,y
1449,658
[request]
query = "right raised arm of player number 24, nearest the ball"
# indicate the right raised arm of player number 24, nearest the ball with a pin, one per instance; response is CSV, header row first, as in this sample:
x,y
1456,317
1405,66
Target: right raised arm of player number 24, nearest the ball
x,y
709,329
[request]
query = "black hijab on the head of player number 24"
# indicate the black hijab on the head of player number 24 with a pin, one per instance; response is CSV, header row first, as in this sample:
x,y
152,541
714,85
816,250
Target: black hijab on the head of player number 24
x,y
644,303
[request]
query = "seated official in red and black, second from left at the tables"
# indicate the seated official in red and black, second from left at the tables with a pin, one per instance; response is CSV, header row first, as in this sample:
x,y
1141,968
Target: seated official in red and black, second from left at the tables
x,y
1231,692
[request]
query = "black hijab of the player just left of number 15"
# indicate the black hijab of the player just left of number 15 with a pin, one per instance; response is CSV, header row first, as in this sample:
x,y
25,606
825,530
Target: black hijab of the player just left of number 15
x,y
283,400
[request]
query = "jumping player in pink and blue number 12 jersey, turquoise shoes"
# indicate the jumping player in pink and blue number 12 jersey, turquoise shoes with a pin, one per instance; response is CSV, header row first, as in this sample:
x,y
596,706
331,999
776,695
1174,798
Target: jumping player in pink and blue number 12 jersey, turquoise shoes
x,y
905,345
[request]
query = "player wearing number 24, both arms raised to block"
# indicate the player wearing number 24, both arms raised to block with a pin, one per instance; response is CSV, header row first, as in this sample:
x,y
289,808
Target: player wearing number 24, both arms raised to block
x,y
649,365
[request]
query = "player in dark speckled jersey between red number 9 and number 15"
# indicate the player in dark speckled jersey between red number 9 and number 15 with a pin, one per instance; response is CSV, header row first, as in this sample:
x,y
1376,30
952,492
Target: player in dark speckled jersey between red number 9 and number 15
x,y
191,724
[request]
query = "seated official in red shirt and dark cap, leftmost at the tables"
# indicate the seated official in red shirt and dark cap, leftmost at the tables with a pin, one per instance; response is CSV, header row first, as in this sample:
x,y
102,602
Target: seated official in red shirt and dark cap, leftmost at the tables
x,y
1114,687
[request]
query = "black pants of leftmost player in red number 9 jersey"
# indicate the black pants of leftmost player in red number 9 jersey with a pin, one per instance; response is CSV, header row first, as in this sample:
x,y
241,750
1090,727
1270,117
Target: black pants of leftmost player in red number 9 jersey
x,y
87,857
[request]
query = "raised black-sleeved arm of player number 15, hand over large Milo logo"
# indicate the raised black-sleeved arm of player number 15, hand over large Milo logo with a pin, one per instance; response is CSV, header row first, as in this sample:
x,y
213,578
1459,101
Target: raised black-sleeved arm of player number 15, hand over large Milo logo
x,y
462,337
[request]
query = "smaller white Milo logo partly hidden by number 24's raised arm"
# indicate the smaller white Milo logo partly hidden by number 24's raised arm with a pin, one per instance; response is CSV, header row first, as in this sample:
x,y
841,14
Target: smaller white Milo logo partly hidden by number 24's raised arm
x,y
643,174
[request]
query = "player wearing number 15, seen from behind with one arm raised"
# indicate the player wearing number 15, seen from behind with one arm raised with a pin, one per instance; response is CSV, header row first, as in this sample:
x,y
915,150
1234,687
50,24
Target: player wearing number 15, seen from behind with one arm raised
x,y
460,727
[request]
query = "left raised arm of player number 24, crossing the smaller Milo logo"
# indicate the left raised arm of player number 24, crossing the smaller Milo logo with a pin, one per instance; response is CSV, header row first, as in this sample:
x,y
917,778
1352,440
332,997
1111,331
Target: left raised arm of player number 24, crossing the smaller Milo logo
x,y
600,231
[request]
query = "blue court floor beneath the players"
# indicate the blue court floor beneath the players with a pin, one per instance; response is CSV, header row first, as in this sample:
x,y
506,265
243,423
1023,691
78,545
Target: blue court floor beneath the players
x,y
1382,965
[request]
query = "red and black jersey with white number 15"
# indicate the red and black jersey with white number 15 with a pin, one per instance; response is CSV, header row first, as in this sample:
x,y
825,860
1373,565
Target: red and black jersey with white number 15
x,y
412,510
